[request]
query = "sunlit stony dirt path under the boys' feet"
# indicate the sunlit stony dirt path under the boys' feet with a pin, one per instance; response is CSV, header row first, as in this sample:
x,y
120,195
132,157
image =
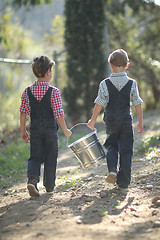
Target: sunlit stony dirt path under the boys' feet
x,y
84,206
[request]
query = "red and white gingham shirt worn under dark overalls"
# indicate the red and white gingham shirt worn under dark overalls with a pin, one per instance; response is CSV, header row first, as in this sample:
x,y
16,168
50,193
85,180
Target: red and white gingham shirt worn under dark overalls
x,y
39,89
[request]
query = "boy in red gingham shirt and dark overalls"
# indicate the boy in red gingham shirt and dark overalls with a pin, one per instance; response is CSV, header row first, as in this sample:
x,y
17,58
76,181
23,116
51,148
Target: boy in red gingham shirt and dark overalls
x,y
44,106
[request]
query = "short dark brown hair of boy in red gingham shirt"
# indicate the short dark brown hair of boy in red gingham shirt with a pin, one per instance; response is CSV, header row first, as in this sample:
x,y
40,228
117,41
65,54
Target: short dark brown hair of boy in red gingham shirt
x,y
41,65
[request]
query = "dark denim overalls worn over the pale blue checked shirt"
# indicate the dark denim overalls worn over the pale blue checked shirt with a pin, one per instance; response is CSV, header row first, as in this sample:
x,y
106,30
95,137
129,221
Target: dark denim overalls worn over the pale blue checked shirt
x,y
119,142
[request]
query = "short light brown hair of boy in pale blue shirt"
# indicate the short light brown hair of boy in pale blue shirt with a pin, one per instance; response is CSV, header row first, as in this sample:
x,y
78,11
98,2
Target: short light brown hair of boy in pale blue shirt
x,y
119,58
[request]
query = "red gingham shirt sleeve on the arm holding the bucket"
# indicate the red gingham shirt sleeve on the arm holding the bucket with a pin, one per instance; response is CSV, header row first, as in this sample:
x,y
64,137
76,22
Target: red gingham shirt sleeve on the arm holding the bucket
x,y
56,103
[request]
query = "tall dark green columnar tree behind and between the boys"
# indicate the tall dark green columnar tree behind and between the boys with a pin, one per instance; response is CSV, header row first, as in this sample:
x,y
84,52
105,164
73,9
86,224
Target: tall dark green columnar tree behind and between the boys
x,y
85,63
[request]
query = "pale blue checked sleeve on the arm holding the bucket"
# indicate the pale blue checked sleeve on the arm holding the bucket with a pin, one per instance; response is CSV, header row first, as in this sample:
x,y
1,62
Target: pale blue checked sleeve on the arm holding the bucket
x,y
103,97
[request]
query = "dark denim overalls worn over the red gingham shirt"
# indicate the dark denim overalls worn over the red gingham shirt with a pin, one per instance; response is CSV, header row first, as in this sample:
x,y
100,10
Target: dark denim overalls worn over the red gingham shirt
x,y
43,139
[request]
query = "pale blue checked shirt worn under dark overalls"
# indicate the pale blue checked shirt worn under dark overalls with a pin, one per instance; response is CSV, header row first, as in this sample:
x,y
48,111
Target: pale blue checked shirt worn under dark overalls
x,y
119,80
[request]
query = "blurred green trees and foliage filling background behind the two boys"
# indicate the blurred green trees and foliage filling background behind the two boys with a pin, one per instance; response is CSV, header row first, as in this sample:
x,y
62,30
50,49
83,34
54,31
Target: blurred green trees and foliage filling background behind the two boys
x,y
131,25
